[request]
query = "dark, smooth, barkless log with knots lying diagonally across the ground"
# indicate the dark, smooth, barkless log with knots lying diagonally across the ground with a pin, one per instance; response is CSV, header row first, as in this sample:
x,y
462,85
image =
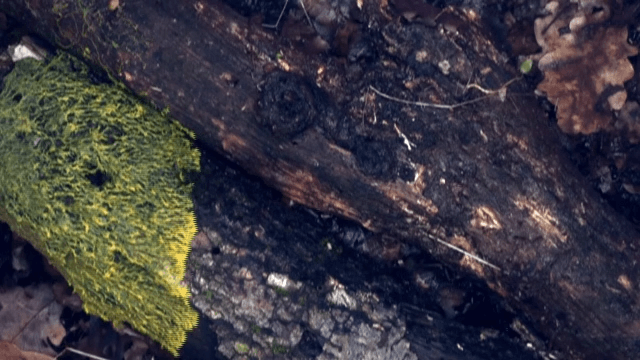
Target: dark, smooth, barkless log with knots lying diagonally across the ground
x,y
488,176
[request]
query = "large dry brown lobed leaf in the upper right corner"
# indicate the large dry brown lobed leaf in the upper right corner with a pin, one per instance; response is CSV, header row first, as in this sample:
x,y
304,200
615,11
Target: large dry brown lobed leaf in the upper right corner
x,y
585,64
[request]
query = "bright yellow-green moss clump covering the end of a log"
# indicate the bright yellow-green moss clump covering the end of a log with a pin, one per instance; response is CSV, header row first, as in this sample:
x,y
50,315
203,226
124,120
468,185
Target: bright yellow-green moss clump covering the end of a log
x,y
98,182
